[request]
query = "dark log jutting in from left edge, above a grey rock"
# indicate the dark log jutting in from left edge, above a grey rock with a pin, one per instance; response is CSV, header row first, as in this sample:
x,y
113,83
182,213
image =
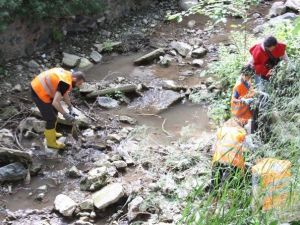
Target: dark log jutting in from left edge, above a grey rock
x,y
8,155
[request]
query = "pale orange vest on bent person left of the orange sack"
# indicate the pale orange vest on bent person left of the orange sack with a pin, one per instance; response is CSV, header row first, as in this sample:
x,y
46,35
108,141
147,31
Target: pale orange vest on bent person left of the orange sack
x,y
229,147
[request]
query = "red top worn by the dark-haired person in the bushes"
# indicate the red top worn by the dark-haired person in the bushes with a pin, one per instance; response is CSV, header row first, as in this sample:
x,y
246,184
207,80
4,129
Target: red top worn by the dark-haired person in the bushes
x,y
261,57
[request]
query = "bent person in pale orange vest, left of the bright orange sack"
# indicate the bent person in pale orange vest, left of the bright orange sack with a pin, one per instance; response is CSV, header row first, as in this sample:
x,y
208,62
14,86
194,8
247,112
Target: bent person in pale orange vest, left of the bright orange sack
x,y
228,160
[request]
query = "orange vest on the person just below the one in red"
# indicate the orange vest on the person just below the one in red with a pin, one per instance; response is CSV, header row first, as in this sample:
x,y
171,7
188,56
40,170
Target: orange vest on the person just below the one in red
x,y
240,110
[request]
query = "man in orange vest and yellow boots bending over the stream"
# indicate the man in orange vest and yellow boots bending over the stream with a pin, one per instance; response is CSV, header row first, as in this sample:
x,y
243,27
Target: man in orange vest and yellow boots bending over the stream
x,y
48,89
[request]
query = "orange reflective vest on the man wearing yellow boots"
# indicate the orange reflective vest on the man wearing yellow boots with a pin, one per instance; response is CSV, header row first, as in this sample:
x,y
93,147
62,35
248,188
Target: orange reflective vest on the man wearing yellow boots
x,y
45,84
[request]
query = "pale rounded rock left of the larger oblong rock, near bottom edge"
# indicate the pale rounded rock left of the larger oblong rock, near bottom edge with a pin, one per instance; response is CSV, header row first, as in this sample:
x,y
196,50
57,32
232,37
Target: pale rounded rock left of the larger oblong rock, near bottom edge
x,y
65,205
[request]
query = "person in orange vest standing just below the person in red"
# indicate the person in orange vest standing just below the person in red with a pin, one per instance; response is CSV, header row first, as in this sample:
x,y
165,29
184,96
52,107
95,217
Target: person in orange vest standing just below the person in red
x,y
242,96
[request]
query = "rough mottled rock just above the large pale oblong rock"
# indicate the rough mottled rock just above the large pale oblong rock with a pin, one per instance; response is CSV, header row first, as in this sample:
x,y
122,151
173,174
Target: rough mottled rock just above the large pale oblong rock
x,y
96,179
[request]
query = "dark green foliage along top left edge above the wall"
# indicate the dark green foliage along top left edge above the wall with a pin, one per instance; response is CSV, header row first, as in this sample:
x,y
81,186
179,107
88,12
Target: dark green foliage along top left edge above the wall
x,y
47,9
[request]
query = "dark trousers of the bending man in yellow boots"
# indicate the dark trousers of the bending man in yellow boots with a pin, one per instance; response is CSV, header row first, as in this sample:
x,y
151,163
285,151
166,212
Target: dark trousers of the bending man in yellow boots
x,y
49,113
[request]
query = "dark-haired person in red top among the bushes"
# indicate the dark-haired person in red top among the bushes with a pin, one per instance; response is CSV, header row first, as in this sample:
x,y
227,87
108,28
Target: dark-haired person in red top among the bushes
x,y
265,56
